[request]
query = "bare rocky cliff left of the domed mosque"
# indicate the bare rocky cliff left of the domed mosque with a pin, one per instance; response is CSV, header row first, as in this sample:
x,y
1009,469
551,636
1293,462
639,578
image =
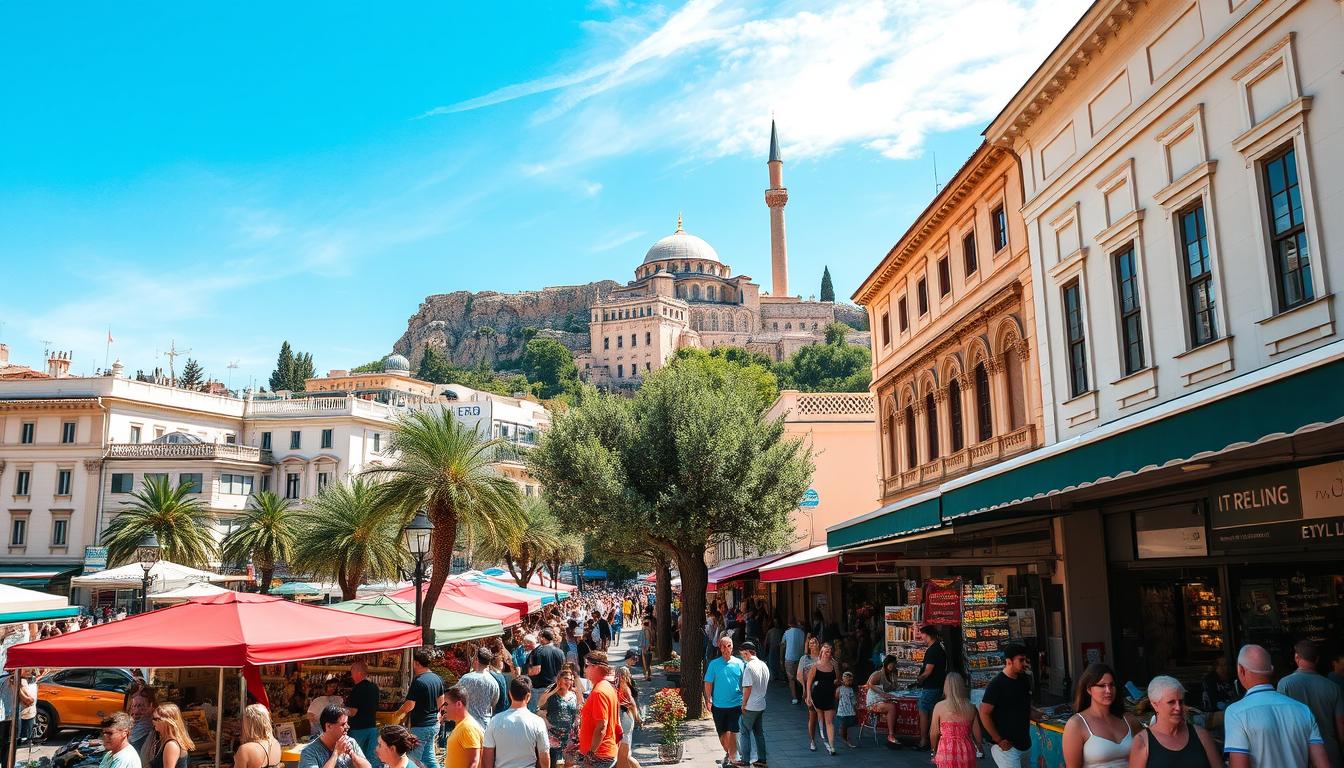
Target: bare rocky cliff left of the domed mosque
x,y
489,326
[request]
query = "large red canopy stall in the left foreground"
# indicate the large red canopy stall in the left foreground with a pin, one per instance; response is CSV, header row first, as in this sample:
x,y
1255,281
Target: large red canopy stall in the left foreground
x,y
247,634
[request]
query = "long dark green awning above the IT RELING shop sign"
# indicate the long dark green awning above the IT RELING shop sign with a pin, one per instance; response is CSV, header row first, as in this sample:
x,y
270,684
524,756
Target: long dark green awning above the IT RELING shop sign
x,y
1276,408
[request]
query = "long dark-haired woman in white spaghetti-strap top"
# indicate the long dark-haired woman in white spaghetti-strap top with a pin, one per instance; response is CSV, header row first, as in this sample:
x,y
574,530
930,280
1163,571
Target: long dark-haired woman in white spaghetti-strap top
x,y
1101,734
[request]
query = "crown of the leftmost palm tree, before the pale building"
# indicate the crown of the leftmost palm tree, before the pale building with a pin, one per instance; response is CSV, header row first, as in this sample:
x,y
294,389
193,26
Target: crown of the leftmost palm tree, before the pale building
x,y
174,516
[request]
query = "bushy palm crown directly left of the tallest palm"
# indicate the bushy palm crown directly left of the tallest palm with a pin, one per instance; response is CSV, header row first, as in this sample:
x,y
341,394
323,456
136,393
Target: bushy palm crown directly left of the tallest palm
x,y
347,536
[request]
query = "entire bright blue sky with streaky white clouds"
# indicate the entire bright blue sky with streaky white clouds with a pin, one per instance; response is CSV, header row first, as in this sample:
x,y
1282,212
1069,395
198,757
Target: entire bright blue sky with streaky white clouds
x,y
229,177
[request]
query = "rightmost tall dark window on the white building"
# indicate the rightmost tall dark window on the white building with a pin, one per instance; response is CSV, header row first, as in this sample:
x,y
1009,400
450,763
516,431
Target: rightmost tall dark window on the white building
x,y
1288,233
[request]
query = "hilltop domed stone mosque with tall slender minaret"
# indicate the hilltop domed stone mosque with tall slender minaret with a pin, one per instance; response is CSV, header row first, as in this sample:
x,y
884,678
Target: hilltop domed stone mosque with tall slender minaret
x,y
683,295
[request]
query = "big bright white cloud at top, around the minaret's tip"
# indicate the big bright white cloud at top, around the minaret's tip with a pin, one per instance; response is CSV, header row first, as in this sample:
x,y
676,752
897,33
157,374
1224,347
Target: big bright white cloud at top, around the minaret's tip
x,y
881,75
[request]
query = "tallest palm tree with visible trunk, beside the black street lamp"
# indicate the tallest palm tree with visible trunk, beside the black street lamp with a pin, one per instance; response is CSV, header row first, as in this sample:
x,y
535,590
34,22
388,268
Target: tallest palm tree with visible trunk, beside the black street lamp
x,y
444,467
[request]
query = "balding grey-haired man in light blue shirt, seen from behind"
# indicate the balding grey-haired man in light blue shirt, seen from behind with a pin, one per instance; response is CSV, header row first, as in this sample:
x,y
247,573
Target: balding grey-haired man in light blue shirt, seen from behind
x,y
1267,730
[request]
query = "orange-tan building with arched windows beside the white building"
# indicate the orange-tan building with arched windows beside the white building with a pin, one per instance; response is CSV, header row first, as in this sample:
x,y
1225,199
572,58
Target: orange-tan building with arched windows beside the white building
x,y
954,333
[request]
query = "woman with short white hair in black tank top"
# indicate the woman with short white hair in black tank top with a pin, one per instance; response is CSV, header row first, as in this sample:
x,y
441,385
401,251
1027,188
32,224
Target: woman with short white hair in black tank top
x,y
1170,742
